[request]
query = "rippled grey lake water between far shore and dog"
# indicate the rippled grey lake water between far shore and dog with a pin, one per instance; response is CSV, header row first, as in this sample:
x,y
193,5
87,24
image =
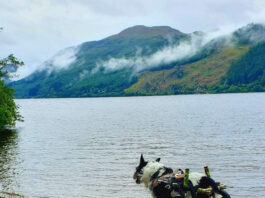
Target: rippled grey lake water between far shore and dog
x,y
90,147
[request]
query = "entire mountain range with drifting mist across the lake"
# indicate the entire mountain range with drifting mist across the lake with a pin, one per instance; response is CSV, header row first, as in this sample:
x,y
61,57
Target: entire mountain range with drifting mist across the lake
x,y
144,60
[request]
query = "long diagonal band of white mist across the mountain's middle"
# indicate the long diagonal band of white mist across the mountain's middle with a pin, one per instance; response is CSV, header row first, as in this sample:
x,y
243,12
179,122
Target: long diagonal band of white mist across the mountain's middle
x,y
169,54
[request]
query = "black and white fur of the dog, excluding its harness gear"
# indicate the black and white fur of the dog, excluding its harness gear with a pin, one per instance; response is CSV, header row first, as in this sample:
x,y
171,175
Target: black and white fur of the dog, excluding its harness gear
x,y
152,175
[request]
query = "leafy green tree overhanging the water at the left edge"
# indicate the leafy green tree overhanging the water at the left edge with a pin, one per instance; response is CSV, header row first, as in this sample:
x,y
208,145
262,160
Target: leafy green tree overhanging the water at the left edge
x,y
8,109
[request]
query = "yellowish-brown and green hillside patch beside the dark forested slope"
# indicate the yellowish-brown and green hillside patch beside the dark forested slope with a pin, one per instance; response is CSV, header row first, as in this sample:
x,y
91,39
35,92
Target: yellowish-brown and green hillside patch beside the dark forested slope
x,y
196,77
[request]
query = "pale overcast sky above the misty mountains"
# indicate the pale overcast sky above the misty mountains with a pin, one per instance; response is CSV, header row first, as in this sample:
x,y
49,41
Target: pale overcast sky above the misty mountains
x,y
34,30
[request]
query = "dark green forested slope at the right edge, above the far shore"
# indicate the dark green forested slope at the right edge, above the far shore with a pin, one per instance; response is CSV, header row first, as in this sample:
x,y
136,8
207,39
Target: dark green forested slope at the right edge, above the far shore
x,y
246,74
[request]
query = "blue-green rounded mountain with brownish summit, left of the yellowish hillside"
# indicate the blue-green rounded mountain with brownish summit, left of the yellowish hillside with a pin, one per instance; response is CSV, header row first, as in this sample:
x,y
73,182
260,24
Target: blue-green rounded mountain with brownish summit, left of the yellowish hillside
x,y
79,80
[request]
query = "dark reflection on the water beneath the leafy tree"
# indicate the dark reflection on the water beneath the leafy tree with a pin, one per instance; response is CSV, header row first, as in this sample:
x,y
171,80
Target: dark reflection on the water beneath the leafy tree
x,y
8,160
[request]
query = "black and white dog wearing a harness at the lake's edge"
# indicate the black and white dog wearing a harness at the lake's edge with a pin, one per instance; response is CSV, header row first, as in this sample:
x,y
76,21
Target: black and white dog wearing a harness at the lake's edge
x,y
159,179
